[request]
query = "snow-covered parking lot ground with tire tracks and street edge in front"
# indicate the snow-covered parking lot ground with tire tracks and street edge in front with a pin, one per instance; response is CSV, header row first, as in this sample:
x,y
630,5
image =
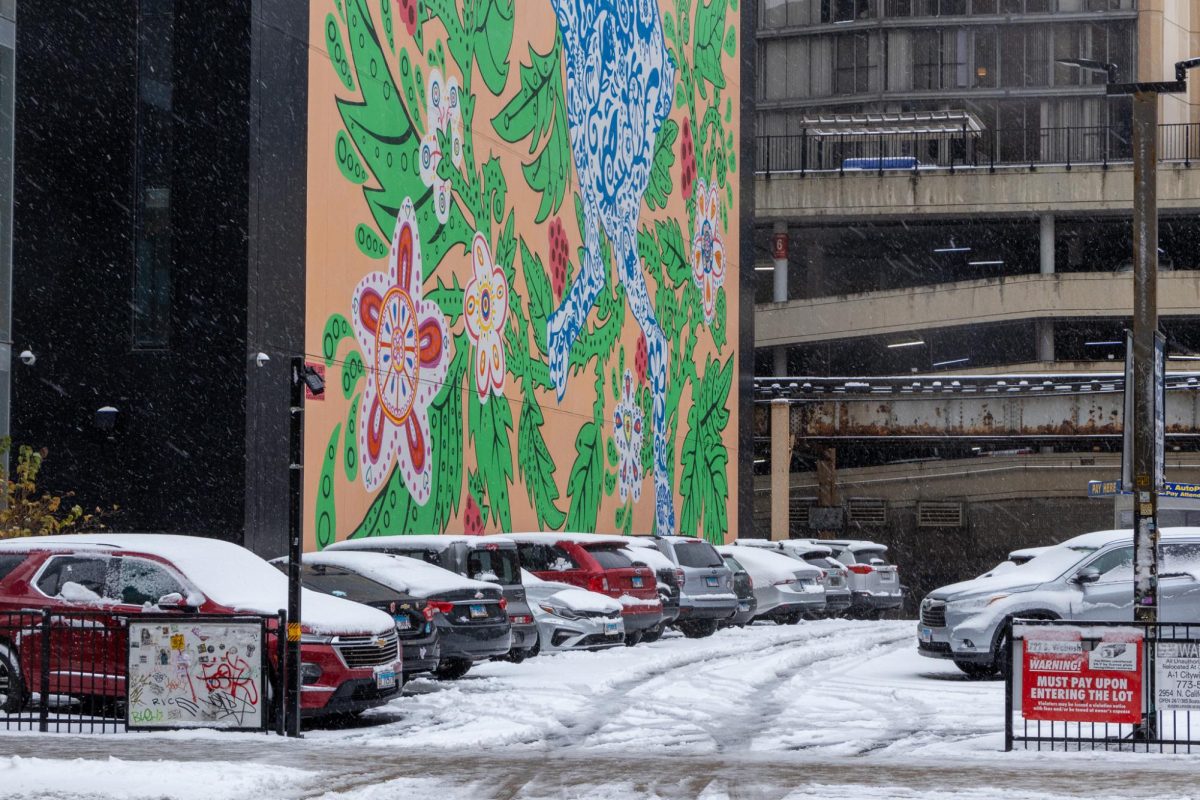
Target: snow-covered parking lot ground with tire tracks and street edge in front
x,y
832,711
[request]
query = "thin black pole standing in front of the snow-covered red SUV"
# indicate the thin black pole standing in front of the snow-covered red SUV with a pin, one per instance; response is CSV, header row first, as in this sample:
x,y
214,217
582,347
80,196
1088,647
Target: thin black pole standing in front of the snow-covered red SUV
x,y
296,546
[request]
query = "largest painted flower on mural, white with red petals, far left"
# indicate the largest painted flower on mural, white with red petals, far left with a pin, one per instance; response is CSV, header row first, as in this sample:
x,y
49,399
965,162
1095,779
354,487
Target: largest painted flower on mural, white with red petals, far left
x,y
407,354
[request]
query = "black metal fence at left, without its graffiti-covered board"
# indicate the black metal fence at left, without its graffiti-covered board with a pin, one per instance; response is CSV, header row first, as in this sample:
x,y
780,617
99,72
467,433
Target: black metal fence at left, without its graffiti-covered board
x,y
68,672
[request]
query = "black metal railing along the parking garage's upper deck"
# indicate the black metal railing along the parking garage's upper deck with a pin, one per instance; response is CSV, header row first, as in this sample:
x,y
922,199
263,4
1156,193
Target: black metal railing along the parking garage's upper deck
x,y
856,153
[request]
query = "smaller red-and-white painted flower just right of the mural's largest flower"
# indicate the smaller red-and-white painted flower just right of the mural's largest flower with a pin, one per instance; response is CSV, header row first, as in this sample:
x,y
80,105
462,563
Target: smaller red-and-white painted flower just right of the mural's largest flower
x,y
485,305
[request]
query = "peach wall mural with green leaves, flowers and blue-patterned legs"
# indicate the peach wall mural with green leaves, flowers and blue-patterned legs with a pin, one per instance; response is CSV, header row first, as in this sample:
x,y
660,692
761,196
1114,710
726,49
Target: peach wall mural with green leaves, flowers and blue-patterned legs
x,y
520,218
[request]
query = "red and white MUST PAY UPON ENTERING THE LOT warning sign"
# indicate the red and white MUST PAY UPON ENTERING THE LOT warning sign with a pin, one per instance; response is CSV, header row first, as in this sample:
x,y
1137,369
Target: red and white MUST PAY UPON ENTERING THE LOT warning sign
x,y
1063,682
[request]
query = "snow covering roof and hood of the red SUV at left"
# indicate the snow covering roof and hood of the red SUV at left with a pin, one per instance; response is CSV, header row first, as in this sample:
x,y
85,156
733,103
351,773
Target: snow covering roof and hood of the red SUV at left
x,y
229,575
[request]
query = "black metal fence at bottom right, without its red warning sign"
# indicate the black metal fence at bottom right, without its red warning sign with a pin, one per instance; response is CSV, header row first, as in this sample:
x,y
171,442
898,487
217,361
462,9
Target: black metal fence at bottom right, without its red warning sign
x,y
1173,730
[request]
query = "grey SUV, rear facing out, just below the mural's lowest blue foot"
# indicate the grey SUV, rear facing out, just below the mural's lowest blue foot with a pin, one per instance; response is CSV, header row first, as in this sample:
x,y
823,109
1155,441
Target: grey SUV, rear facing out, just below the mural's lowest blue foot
x,y
707,597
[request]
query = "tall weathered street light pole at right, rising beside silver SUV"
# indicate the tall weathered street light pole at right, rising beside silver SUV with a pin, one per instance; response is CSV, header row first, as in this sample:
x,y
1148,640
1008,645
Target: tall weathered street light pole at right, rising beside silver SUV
x,y
1145,327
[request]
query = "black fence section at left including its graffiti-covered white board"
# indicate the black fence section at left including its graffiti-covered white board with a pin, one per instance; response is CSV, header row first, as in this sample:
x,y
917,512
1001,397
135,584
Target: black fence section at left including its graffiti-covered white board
x,y
103,672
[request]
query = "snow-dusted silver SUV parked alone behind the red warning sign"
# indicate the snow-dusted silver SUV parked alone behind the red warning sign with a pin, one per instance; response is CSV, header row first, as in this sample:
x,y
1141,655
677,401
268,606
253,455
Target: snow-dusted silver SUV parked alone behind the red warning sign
x,y
1089,578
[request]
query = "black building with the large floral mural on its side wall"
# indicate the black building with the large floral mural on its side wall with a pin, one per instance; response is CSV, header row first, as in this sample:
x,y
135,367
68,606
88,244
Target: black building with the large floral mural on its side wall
x,y
508,233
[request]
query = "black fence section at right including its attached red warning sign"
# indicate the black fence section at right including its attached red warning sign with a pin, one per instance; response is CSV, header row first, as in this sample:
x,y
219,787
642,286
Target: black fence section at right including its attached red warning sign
x,y
1103,685
